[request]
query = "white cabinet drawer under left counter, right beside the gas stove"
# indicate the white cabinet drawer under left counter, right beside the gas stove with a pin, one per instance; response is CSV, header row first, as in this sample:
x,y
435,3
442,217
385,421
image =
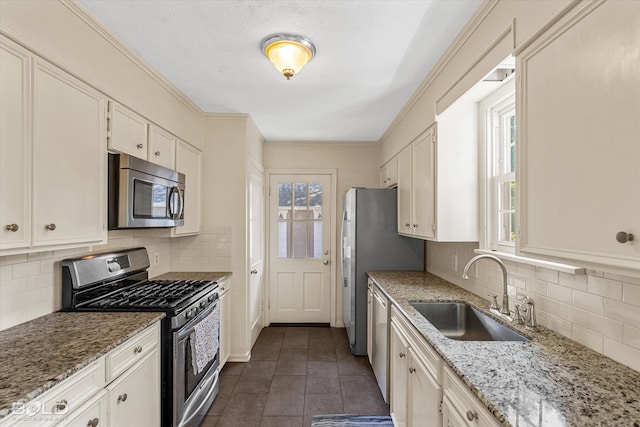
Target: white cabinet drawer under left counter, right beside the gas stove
x,y
133,350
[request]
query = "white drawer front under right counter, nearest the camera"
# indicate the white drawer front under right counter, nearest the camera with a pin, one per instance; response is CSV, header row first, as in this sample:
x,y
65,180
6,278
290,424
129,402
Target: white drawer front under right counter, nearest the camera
x,y
465,403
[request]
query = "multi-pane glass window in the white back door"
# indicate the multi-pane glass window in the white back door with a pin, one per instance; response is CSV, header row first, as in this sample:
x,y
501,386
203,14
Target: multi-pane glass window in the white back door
x,y
299,220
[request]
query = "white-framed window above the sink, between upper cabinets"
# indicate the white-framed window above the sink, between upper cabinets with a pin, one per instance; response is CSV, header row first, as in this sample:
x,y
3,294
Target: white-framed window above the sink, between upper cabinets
x,y
498,145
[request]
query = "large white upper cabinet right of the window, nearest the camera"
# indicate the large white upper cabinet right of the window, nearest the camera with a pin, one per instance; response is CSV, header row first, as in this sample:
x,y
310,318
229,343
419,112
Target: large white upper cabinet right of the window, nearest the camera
x,y
578,147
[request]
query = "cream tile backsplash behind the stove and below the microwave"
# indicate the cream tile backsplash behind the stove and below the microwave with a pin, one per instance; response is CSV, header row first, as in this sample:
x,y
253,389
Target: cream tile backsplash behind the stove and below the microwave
x,y
30,284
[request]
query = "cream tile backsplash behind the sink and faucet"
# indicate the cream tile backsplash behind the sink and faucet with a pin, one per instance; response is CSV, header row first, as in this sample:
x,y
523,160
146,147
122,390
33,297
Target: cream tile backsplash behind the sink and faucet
x,y
598,309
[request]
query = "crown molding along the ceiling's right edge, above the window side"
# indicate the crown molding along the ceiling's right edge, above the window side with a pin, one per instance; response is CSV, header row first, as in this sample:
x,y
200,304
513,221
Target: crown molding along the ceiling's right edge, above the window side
x,y
468,30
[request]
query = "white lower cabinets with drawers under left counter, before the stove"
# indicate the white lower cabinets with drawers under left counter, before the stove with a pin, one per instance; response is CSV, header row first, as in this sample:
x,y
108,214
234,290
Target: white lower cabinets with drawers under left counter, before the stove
x,y
89,398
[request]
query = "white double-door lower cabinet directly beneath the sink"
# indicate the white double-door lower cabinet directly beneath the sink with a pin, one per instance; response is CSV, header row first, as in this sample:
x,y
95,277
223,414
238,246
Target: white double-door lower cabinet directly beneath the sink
x,y
415,393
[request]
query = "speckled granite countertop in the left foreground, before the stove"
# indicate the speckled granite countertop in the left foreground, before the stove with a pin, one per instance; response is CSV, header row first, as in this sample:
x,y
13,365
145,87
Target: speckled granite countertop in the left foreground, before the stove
x,y
37,355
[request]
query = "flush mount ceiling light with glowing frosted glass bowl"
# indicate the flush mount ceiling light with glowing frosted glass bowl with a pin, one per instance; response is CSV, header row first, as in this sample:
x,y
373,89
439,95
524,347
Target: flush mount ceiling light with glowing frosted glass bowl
x,y
288,52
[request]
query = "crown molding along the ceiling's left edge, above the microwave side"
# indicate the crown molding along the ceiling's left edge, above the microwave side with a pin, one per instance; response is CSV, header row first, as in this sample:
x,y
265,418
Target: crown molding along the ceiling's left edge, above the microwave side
x,y
116,42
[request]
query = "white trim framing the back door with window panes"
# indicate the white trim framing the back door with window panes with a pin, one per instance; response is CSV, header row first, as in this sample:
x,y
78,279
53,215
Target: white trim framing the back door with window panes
x,y
333,293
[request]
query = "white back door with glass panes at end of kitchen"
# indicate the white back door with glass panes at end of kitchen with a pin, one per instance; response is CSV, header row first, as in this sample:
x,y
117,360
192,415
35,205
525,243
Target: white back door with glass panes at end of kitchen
x,y
299,252
